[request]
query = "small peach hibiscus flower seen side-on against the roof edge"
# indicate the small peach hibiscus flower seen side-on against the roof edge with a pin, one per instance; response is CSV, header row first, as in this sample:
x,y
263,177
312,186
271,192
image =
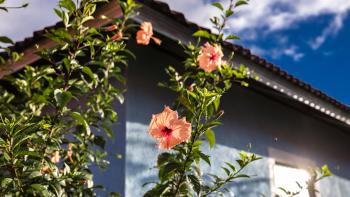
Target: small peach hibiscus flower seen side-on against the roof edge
x,y
145,34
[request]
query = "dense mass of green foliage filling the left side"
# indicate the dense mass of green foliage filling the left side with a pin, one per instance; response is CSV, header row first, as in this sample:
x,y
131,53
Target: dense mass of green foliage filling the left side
x,y
55,115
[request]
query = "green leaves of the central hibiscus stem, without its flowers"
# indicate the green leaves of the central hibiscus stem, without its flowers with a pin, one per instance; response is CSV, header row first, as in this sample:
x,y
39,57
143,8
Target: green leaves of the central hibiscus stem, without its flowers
x,y
198,99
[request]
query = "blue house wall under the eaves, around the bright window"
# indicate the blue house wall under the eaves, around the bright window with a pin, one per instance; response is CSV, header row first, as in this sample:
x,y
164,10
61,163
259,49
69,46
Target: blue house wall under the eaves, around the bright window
x,y
276,131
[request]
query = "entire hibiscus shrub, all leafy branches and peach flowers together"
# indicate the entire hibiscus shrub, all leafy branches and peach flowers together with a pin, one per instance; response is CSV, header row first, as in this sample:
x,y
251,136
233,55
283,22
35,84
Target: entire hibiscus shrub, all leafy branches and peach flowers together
x,y
55,116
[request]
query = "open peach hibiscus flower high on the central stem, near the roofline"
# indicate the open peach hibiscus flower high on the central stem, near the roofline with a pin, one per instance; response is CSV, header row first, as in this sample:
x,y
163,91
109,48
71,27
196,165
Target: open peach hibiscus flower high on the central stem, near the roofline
x,y
210,57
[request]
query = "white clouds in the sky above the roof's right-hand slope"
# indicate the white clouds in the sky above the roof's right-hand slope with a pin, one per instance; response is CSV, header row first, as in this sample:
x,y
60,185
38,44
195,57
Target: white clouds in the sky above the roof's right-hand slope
x,y
266,16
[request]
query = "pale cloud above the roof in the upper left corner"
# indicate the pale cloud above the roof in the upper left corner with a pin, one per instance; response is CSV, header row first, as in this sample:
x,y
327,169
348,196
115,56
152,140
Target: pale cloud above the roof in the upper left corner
x,y
20,23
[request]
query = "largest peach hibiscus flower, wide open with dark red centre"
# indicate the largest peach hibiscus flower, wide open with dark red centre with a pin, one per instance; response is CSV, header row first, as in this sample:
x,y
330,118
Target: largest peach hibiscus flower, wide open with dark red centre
x,y
168,129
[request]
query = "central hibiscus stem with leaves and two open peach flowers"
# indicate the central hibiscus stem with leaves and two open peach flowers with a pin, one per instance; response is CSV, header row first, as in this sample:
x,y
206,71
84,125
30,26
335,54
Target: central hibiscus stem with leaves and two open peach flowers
x,y
205,78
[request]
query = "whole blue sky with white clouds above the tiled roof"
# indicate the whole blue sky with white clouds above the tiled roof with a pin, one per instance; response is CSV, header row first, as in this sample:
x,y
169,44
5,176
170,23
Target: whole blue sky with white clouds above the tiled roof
x,y
307,38
